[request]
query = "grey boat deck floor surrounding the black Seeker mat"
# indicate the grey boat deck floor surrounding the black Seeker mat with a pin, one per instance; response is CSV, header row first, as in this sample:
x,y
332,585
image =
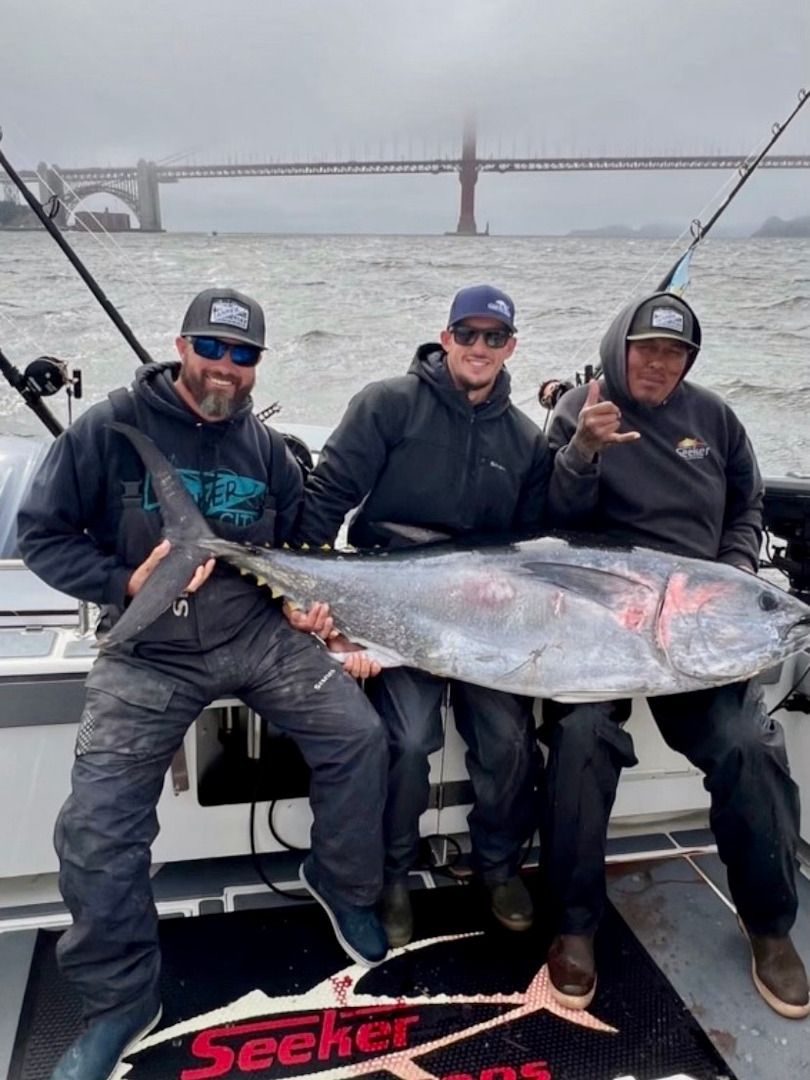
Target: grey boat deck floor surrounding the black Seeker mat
x,y
669,887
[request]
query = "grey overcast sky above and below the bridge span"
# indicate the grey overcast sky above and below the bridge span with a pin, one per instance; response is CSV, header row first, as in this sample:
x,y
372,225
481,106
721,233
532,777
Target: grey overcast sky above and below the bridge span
x,y
106,82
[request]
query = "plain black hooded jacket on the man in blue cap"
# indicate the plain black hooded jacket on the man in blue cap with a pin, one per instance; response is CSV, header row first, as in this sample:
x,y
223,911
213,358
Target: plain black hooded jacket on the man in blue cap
x,y
413,451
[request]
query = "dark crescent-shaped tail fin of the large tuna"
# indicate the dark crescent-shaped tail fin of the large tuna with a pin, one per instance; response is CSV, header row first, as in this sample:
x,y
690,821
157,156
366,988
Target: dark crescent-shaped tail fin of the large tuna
x,y
183,525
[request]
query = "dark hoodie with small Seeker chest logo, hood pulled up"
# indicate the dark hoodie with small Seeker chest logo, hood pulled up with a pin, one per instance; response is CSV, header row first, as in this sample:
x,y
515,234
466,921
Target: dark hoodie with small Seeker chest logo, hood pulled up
x,y
691,484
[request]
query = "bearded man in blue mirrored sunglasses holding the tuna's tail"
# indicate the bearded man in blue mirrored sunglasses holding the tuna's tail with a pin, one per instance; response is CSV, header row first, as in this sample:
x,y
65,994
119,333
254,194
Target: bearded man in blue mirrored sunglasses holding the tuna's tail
x,y
91,528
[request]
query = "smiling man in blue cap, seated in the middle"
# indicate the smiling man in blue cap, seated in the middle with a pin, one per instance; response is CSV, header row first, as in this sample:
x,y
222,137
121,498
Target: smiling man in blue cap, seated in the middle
x,y
443,449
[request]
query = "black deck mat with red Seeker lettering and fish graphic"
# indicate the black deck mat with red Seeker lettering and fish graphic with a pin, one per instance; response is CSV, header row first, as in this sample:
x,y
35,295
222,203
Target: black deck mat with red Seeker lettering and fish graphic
x,y
474,1008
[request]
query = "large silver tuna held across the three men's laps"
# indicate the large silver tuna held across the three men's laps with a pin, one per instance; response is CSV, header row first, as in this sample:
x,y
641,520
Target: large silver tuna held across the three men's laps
x,y
550,617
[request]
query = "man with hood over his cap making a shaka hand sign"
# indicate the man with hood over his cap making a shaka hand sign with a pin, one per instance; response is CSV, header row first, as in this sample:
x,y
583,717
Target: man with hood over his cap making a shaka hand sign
x,y
646,457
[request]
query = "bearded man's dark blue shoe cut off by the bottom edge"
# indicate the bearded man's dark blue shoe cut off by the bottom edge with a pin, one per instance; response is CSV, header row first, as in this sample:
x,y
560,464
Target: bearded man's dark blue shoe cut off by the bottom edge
x,y
97,1055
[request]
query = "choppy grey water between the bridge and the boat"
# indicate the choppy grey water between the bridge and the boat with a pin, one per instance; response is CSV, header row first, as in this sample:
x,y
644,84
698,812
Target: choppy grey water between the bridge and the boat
x,y
345,310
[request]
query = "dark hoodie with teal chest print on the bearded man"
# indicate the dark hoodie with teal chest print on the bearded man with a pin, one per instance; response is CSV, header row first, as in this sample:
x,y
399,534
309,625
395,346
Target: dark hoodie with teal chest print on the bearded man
x,y
91,517
